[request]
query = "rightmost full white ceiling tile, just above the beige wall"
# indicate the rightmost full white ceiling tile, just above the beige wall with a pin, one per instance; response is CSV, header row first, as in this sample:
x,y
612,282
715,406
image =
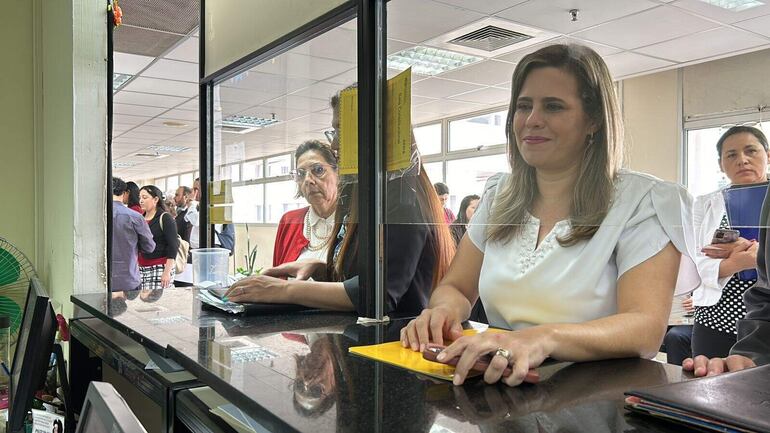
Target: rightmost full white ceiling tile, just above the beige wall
x,y
703,45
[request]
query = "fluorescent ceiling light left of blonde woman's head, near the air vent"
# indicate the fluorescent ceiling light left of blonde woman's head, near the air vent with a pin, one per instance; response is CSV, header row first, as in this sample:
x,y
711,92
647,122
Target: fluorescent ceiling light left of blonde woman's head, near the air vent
x,y
429,61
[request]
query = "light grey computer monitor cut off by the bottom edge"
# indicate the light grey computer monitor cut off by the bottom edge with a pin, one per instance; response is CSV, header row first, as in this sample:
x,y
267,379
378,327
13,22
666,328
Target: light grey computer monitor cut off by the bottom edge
x,y
105,411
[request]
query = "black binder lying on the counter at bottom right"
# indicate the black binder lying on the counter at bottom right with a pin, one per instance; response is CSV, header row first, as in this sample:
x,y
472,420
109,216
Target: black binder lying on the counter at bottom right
x,y
731,402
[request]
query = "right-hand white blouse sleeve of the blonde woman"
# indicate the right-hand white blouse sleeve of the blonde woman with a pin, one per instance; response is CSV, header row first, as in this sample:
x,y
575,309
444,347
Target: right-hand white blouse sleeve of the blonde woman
x,y
663,215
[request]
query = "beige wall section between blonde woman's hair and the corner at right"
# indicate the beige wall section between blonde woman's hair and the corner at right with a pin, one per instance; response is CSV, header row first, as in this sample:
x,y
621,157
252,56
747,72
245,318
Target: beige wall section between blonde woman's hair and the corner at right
x,y
653,132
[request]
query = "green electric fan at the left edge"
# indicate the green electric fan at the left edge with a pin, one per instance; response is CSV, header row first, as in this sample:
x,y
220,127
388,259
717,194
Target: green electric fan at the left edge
x,y
15,272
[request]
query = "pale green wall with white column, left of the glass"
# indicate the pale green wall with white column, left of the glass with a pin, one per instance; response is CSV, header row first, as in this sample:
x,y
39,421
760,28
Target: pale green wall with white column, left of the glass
x,y
53,143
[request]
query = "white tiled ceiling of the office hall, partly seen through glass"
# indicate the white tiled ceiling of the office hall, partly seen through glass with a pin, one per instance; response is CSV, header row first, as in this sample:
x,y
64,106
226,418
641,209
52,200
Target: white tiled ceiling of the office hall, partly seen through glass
x,y
634,36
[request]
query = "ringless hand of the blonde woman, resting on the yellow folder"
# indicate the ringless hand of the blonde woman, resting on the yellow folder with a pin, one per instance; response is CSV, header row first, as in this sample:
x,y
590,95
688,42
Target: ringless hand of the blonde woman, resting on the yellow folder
x,y
433,325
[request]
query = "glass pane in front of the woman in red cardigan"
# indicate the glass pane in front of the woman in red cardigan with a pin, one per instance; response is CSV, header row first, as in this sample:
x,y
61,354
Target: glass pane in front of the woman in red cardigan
x,y
285,168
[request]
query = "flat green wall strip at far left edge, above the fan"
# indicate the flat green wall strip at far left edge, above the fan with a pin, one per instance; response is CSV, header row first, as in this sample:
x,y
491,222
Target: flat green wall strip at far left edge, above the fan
x,y
17,141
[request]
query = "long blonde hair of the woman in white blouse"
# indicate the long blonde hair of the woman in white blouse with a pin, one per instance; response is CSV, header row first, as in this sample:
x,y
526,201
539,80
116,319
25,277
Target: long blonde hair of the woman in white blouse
x,y
601,159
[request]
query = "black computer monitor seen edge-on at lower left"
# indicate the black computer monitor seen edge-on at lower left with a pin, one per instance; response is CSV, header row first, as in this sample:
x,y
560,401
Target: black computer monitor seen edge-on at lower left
x,y
33,353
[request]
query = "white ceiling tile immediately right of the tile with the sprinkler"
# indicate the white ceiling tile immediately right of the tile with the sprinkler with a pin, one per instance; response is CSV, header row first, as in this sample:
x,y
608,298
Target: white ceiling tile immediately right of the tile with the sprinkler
x,y
647,28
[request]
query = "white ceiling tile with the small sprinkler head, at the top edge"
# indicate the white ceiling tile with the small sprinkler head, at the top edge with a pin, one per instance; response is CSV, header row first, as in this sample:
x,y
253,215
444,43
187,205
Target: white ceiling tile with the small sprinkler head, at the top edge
x,y
554,15
